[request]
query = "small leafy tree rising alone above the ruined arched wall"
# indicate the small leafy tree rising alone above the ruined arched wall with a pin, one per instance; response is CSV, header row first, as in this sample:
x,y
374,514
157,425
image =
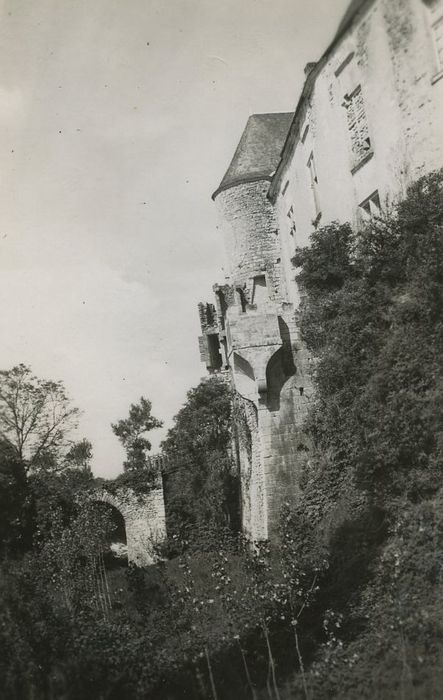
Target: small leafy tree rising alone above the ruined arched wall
x,y
132,434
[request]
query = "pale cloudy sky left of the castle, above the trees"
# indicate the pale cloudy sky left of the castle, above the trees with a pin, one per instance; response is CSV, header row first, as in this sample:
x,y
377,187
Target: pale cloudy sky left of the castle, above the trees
x,y
118,119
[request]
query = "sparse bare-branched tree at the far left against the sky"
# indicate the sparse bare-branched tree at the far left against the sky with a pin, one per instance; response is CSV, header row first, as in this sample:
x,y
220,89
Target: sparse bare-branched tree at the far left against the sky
x,y
36,416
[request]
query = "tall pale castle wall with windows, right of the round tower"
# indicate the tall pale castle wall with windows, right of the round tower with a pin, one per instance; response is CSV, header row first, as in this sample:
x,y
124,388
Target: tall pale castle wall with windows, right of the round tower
x,y
388,53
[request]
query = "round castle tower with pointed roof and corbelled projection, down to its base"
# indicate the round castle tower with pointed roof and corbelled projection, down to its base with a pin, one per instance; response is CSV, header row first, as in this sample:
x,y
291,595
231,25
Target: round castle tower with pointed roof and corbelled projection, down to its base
x,y
255,325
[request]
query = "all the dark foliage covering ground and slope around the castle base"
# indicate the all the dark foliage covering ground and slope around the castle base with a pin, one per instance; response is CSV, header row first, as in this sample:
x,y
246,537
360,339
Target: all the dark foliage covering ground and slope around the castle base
x,y
348,604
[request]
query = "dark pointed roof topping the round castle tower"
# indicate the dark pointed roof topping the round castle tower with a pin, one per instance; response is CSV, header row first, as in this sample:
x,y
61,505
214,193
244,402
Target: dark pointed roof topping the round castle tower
x,y
259,150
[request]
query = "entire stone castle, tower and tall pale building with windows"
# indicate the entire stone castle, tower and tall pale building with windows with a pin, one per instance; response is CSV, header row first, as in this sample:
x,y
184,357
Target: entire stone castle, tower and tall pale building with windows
x,y
369,121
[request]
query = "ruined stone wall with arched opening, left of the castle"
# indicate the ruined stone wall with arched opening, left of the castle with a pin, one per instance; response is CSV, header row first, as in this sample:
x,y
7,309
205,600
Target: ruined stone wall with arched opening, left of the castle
x,y
145,523
